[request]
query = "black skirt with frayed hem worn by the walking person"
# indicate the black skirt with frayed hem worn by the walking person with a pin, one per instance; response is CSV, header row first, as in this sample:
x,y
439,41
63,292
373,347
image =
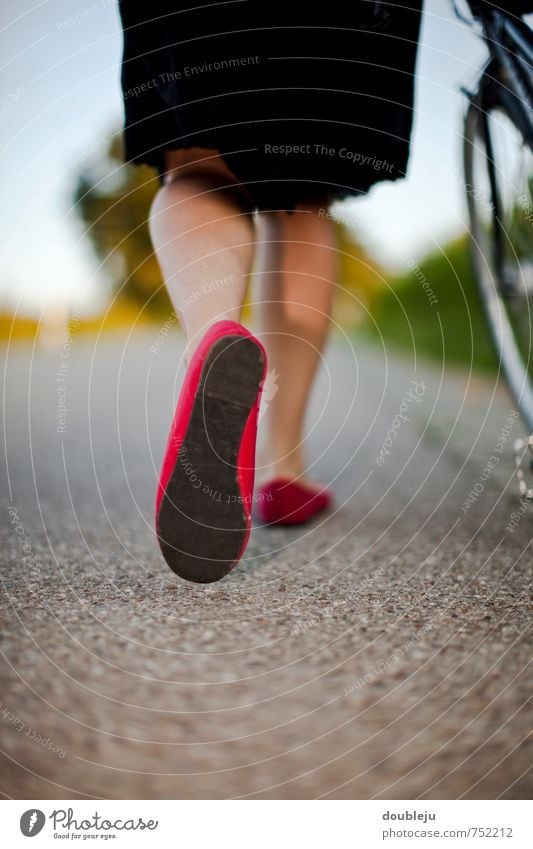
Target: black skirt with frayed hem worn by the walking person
x,y
303,103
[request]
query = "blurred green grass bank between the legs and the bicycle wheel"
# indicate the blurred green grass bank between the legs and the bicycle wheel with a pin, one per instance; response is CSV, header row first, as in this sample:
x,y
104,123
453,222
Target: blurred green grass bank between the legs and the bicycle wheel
x,y
435,310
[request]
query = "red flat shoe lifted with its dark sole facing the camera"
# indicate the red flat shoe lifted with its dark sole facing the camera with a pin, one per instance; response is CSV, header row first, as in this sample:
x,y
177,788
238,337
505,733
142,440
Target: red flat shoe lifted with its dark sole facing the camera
x,y
204,496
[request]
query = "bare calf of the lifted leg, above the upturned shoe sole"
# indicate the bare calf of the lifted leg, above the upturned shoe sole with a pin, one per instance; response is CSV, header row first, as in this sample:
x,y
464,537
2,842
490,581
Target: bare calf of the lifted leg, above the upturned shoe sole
x,y
203,233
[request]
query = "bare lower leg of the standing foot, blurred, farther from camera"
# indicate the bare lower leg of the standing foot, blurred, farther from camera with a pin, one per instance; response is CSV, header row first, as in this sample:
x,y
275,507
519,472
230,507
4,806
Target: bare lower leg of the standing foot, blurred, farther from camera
x,y
295,280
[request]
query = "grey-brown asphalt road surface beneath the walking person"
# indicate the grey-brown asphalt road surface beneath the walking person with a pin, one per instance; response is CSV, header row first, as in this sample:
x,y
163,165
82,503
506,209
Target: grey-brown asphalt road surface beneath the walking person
x,y
381,652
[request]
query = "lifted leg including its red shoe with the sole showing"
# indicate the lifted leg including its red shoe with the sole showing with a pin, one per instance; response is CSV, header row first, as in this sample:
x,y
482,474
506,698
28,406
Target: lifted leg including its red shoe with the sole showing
x,y
202,231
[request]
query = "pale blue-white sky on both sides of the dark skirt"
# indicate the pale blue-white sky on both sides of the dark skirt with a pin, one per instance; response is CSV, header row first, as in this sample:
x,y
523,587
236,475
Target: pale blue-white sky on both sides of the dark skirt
x,y
60,101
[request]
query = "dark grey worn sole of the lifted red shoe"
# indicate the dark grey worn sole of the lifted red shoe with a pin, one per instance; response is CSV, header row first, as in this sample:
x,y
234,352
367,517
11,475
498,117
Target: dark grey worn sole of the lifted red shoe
x,y
202,524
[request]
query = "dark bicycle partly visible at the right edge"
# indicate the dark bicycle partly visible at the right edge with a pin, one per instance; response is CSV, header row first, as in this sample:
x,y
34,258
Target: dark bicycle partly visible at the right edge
x,y
498,176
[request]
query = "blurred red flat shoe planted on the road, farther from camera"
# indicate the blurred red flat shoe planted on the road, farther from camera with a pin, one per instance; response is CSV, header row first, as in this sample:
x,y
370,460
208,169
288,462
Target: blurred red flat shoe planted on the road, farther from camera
x,y
286,502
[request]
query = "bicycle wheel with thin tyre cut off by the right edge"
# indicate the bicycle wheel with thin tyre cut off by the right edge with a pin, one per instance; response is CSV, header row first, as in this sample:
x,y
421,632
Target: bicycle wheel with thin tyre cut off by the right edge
x,y
498,167
